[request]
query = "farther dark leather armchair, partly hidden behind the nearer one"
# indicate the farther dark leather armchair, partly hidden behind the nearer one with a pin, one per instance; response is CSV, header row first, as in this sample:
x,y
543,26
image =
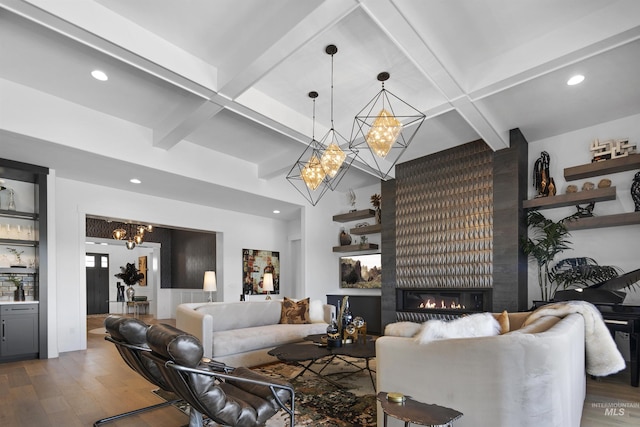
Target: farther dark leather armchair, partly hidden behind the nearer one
x,y
130,338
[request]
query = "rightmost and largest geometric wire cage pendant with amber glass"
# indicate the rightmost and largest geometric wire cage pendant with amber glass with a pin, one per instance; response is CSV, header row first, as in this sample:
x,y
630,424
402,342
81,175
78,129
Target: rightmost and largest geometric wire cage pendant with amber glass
x,y
379,130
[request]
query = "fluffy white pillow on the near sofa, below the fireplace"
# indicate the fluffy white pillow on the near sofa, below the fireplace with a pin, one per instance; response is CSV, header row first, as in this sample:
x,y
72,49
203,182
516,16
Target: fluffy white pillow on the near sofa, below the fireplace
x,y
474,325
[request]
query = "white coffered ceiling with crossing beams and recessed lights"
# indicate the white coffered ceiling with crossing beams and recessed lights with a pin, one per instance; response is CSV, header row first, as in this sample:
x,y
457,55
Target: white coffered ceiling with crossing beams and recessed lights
x,y
231,77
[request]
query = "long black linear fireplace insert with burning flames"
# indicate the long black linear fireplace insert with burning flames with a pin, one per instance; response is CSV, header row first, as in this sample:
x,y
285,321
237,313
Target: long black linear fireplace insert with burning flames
x,y
420,304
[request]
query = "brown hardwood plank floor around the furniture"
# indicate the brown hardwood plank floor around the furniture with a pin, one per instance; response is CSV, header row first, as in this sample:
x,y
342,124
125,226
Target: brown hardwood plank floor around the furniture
x,y
81,387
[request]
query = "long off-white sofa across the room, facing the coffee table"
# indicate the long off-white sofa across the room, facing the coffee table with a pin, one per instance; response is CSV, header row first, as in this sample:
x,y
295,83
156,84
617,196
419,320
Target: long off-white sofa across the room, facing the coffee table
x,y
241,333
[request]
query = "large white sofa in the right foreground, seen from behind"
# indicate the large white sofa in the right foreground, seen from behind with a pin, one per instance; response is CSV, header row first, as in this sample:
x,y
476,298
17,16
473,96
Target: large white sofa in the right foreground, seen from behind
x,y
533,376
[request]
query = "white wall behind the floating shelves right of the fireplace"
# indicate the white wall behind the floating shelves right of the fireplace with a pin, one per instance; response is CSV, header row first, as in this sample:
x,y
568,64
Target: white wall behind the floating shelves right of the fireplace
x,y
617,246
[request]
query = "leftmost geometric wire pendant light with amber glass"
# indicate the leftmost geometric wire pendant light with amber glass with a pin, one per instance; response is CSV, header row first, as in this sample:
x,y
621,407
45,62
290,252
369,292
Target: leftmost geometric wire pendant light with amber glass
x,y
307,175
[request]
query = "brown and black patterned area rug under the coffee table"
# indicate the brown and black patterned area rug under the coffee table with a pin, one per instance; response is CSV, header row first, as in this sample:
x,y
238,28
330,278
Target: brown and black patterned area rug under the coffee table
x,y
319,403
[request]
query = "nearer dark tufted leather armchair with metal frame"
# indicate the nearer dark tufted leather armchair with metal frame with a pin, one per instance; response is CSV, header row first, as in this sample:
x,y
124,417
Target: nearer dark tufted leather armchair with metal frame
x,y
237,398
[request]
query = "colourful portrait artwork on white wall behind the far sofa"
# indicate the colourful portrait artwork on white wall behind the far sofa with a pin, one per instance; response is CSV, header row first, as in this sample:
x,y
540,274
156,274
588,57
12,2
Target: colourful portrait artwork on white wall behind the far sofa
x,y
255,263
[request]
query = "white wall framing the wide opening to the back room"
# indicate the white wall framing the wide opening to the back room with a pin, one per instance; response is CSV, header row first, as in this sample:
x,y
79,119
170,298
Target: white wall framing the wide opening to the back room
x,y
74,200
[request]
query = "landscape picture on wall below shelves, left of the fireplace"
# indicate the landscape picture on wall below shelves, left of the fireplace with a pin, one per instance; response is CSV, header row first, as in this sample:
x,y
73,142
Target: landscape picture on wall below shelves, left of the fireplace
x,y
361,271
